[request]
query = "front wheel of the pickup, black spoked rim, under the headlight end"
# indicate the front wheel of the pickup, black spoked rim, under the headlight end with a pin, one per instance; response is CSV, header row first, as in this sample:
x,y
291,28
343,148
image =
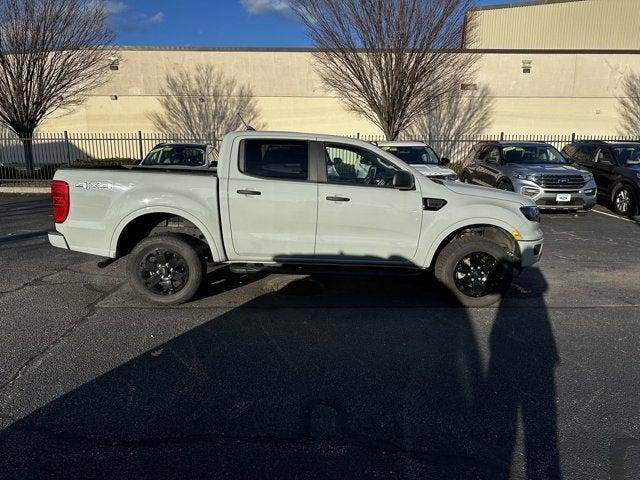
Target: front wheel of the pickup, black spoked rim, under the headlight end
x,y
475,270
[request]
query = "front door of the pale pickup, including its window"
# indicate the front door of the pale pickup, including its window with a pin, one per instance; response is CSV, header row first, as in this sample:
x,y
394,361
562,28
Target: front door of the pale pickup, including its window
x,y
361,217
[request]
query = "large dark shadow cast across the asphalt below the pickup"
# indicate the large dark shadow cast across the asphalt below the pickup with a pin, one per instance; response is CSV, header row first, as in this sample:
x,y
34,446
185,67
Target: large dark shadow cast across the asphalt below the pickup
x,y
360,391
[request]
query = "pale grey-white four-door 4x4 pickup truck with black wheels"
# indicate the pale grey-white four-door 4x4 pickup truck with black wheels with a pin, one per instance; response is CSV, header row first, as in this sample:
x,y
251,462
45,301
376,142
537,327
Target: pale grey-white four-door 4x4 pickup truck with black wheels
x,y
281,201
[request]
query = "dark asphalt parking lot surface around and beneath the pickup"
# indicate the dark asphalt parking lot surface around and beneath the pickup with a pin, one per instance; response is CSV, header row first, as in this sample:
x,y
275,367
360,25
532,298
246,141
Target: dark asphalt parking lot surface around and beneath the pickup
x,y
330,377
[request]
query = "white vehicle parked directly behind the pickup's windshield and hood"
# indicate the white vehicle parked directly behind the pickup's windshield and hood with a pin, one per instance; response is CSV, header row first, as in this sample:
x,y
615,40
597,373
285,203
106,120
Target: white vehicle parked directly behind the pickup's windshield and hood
x,y
421,157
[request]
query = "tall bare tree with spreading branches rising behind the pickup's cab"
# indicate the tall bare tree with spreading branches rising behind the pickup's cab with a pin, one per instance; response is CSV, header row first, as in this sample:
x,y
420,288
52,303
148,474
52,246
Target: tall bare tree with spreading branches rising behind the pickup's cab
x,y
390,60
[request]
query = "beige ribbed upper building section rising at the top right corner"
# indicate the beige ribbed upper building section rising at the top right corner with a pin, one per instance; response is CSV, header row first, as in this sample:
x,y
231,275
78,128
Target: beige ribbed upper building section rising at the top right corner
x,y
558,24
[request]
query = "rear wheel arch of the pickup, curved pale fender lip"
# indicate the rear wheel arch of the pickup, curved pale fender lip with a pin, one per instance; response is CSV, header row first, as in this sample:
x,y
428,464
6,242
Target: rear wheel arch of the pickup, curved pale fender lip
x,y
142,223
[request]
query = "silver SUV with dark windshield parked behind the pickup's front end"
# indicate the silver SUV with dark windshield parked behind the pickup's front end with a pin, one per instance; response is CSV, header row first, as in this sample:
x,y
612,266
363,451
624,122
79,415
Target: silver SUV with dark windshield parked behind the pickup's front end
x,y
534,169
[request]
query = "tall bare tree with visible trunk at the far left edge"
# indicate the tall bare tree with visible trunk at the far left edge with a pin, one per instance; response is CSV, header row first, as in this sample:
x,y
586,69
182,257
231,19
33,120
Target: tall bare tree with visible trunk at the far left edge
x,y
51,53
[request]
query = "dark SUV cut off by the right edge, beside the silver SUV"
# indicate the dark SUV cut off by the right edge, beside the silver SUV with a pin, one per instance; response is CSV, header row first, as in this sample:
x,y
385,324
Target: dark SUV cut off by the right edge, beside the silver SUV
x,y
616,168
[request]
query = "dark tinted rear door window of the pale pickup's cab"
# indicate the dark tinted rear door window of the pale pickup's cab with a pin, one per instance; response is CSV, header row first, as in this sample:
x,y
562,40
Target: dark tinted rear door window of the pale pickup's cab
x,y
284,159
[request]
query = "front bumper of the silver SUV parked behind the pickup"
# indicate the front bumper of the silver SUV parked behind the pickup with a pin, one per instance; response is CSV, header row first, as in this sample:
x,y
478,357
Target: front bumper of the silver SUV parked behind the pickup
x,y
547,199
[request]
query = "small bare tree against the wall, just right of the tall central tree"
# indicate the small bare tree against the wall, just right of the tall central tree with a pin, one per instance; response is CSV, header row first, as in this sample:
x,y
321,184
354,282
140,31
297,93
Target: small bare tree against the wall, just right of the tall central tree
x,y
459,116
